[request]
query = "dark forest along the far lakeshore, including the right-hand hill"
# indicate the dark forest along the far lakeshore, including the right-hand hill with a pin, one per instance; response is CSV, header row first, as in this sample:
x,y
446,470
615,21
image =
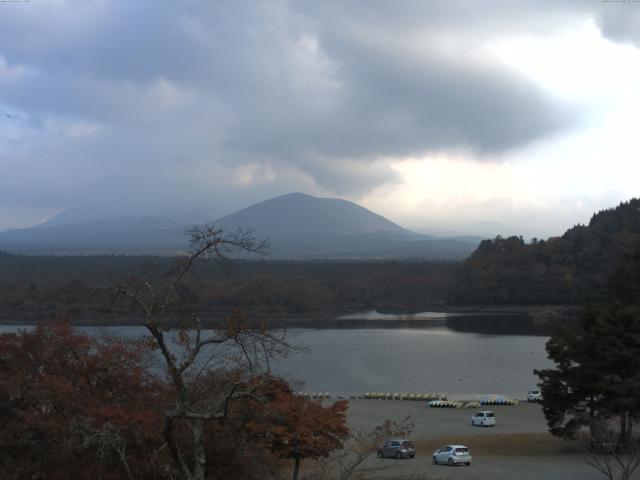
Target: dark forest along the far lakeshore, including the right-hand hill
x,y
569,270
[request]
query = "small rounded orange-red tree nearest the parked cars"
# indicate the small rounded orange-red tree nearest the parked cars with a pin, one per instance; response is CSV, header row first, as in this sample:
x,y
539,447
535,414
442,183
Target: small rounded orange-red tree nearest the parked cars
x,y
297,428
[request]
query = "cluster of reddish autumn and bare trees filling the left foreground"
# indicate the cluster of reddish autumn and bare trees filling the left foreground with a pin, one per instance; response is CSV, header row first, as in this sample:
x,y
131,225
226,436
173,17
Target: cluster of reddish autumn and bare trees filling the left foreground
x,y
217,413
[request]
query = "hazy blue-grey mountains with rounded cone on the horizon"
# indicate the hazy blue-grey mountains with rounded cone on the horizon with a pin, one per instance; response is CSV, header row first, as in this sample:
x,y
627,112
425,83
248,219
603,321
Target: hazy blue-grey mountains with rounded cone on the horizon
x,y
298,226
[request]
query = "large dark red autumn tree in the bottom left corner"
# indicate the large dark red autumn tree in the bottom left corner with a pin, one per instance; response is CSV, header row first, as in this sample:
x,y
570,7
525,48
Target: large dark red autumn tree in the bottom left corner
x,y
73,406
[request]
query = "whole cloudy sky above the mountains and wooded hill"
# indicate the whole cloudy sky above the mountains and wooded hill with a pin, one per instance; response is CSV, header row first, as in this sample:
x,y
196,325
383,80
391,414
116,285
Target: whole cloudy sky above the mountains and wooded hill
x,y
452,116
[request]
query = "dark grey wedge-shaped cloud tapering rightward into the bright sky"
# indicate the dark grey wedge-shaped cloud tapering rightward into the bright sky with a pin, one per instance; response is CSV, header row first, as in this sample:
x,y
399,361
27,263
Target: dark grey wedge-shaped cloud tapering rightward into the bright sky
x,y
396,103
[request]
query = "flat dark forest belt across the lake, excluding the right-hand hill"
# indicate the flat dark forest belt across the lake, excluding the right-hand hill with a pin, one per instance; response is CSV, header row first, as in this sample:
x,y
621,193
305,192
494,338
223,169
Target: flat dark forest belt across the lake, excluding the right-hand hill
x,y
34,288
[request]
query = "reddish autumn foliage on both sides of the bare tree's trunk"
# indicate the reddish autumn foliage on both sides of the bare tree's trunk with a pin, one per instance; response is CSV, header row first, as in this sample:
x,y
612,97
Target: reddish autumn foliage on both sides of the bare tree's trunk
x,y
75,406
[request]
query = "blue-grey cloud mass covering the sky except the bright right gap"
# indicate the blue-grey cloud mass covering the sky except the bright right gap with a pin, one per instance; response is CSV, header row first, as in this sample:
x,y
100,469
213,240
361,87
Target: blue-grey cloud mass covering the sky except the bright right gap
x,y
122,102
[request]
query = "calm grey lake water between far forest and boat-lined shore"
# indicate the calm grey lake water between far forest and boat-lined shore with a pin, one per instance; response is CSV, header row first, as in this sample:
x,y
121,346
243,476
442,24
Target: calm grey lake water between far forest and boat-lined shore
x,y
428,359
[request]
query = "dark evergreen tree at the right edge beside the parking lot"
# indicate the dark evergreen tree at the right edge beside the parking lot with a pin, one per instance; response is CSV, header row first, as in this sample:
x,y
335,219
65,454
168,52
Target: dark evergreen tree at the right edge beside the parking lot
x,y
597,374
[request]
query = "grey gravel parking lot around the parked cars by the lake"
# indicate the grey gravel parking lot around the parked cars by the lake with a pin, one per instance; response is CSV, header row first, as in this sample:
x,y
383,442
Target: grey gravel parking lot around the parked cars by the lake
x,y
518,447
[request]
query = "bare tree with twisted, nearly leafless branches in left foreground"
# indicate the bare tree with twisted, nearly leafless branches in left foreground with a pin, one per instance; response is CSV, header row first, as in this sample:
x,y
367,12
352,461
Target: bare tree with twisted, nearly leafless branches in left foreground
x,y
236,344
